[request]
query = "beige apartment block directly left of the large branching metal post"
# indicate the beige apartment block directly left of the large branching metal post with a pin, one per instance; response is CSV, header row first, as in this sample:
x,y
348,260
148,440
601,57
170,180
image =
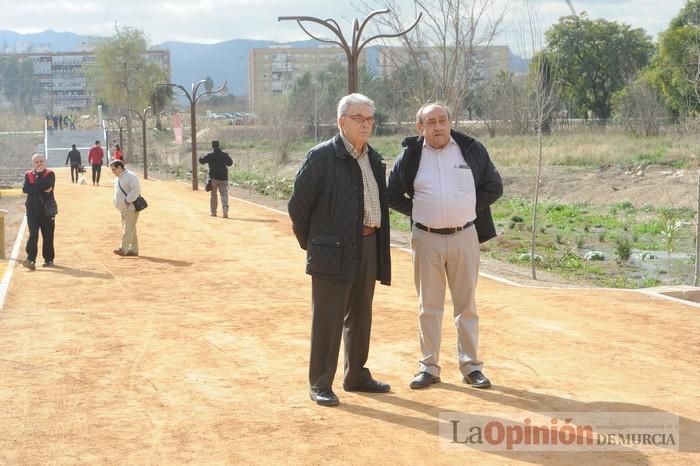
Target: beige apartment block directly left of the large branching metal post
x,y
273,70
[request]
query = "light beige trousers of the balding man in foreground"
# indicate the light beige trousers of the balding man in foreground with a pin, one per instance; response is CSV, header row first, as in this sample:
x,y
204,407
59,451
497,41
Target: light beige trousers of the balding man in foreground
x,y
440,260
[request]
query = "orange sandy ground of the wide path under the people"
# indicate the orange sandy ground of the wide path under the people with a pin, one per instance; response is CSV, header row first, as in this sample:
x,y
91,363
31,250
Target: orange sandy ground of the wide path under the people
x,y
196,352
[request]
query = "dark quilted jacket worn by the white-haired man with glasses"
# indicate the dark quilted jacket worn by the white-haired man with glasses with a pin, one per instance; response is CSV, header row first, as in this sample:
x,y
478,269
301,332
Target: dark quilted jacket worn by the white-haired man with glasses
x,y
327,210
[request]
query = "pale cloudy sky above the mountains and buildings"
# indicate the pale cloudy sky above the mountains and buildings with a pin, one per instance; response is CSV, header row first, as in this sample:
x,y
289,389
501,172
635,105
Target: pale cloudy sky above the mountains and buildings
x,y
210,21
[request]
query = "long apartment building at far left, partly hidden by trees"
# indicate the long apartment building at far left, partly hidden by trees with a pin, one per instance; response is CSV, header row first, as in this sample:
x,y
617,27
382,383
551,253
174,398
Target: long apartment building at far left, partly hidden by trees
x,y
62,77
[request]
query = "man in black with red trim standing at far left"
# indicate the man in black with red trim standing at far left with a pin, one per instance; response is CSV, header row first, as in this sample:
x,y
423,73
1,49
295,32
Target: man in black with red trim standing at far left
x,y
38,186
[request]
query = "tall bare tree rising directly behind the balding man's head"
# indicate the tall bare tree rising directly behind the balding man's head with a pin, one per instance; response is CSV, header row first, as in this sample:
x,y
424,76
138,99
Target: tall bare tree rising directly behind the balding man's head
x,y
448,44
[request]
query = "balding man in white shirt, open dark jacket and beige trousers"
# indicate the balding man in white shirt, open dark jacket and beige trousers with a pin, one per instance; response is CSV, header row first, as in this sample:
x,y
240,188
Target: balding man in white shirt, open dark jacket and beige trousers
x,y
445,181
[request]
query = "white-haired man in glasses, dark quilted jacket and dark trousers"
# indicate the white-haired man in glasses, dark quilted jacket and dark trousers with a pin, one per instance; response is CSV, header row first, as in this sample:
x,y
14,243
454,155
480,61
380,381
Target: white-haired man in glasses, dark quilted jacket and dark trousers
x,y
340,216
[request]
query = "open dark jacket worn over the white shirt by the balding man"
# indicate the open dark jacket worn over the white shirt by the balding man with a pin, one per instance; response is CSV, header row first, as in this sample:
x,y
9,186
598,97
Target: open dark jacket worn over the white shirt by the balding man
x,y
487,180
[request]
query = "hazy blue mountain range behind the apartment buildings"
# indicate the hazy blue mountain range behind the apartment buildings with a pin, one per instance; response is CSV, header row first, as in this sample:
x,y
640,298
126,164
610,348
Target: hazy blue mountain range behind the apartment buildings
x,y
189,62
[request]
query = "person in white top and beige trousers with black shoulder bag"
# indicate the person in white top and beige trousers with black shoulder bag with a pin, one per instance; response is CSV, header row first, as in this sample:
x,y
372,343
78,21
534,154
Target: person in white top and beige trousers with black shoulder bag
x,y
126,190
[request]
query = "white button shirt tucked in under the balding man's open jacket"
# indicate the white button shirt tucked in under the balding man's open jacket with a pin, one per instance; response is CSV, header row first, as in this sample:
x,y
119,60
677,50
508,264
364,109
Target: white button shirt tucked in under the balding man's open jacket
x,y
444,191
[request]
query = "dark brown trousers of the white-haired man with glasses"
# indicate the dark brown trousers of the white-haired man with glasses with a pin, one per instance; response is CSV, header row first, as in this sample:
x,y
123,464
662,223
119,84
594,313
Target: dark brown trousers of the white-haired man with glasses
x,y
343,306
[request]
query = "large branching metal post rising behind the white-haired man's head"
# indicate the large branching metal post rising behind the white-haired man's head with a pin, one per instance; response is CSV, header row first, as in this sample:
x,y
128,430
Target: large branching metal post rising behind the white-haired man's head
x,y
352,50
